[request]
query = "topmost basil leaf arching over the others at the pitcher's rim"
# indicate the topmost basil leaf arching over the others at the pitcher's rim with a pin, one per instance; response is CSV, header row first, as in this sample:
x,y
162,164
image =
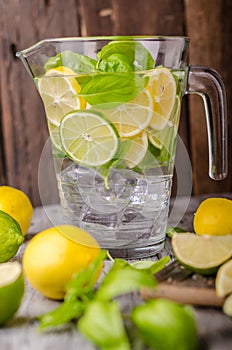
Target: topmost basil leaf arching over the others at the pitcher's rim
x,y
135,52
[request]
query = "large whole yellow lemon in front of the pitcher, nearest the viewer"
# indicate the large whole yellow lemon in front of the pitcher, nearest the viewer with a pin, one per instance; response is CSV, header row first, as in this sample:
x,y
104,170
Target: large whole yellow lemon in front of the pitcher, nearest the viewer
x,y
54,255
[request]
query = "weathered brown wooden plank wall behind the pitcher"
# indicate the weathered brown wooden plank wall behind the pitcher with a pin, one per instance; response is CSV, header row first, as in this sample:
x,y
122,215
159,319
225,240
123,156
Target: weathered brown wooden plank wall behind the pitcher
x,y
23,131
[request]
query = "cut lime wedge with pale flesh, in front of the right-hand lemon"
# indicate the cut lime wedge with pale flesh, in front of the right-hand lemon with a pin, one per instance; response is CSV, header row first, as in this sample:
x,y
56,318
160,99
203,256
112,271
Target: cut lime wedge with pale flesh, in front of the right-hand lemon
x,y
203,254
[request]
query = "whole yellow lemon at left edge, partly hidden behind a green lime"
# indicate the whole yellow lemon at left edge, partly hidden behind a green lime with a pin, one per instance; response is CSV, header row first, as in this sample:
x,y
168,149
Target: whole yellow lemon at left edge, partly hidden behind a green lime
x,y
17,204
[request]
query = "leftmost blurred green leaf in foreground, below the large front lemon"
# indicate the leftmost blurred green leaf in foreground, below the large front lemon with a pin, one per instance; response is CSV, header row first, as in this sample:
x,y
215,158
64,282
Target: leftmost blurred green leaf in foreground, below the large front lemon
x,y
63,314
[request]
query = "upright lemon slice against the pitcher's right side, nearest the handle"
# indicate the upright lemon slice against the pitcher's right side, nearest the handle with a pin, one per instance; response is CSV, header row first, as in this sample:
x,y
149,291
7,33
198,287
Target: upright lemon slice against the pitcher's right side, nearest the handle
x,y
163,87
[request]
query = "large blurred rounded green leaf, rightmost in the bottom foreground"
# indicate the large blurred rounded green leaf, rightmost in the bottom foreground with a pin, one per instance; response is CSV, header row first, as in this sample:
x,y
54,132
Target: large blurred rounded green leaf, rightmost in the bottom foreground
x,y
166,325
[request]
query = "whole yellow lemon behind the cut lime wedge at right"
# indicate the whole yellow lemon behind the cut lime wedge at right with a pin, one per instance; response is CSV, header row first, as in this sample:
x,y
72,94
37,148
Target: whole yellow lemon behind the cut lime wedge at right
x,y
214,217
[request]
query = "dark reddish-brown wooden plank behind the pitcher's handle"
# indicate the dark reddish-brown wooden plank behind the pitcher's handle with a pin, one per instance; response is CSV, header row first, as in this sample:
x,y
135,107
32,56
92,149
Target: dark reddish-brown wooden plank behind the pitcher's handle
x,y
206,48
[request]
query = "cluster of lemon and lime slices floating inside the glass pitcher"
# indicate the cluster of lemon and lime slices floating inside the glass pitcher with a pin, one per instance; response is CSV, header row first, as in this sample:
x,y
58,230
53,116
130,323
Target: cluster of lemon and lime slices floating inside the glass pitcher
x,y
93,136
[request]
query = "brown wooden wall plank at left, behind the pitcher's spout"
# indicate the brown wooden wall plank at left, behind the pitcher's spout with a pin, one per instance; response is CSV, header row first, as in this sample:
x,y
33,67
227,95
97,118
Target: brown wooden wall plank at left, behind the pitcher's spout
x,y
23,118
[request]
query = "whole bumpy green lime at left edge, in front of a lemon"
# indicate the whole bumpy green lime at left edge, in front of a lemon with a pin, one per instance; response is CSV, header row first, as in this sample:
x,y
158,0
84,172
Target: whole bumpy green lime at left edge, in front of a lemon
x,y
11,237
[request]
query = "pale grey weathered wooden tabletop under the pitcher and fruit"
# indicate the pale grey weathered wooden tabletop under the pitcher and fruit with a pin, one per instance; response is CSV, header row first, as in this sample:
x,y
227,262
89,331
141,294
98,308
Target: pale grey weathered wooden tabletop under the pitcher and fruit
x,y
21,333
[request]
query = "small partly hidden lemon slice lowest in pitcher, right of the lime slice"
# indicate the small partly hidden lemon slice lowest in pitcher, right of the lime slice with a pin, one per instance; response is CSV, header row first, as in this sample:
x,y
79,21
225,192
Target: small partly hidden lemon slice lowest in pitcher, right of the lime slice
x,y
137,150
